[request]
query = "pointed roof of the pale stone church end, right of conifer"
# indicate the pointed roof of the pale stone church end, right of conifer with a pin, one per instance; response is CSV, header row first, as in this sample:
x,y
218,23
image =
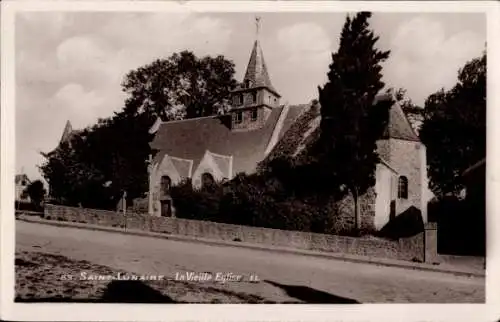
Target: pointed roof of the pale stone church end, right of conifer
x,y
399,126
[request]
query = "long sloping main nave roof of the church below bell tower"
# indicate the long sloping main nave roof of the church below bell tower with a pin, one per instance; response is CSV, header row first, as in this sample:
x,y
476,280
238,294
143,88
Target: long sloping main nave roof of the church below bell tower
x,y
190,139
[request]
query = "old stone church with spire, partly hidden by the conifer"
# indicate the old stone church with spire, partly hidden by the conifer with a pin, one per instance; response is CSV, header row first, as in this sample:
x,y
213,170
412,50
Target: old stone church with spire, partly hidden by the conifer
x,y
216,148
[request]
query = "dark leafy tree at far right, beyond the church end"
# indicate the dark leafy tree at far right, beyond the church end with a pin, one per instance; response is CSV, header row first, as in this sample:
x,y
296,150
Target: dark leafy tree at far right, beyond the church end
x,y
454,128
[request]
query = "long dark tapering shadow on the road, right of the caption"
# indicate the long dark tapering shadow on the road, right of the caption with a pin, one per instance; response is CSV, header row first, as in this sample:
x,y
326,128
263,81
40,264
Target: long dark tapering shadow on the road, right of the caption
x,y
310,295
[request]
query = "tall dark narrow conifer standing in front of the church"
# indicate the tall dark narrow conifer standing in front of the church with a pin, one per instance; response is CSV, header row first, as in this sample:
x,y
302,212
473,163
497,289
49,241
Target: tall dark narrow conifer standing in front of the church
x,y
350,121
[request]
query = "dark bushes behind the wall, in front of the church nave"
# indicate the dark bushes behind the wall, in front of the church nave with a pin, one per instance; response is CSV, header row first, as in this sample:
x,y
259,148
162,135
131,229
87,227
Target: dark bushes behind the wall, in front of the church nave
x,y
259,200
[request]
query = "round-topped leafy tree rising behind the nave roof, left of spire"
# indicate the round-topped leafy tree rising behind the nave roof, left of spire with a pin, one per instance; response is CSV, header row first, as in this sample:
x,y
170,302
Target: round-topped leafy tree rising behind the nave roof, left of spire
x,y
181,86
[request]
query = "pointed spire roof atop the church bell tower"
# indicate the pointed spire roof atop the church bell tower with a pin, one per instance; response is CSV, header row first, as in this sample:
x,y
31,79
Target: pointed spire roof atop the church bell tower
x,y
257,72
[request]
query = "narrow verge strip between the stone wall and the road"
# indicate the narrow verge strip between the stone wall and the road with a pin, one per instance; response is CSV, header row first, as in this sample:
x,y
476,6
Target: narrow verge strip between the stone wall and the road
x,y
442,268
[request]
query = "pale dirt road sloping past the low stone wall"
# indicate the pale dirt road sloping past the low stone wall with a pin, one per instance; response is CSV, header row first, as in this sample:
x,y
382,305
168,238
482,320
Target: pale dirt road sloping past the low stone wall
x,y
282,277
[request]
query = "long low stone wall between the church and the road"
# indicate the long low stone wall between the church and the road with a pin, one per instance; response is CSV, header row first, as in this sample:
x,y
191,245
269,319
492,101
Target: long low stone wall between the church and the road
x,y
412,248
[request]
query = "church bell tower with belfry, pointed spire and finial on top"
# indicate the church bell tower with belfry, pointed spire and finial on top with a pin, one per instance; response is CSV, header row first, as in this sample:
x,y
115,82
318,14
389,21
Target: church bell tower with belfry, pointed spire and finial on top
x,y
255,97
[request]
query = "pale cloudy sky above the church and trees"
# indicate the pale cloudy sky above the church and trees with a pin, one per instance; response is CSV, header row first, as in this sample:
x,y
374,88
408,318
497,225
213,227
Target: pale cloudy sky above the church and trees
x,y
69,66
